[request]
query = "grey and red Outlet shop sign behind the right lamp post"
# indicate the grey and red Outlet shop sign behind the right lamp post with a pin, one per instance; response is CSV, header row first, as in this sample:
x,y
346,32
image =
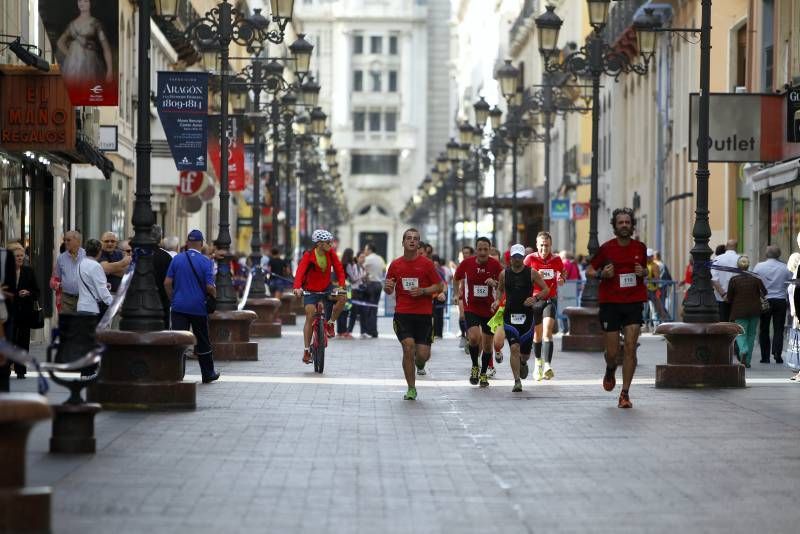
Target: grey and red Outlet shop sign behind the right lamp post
x,y
743,127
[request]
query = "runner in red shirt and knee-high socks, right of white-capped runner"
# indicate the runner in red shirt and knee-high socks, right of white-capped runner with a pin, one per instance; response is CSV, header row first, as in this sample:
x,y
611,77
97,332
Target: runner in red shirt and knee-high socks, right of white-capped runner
x,y
552,270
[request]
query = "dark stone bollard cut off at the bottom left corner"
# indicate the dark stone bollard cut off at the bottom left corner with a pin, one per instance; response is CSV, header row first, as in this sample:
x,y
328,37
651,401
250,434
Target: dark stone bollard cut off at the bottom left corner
x,y
22,509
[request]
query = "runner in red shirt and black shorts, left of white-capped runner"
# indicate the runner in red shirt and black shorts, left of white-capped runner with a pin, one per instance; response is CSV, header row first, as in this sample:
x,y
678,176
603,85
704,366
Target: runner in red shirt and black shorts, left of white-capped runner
x,y
477,277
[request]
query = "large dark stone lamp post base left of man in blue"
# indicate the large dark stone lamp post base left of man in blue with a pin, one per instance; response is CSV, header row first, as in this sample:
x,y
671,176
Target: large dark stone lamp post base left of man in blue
x,y
144,371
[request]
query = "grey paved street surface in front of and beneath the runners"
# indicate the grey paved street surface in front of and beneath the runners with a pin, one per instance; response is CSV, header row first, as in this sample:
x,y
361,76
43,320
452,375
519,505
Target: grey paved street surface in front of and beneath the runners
x,y
275,448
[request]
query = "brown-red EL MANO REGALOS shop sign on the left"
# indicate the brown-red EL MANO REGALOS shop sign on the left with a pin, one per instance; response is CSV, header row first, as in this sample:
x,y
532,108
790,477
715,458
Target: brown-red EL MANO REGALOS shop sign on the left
x,y
35,111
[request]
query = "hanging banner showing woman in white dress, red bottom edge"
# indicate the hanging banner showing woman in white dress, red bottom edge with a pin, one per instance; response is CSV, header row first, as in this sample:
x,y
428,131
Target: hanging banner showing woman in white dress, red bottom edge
x,y
85,38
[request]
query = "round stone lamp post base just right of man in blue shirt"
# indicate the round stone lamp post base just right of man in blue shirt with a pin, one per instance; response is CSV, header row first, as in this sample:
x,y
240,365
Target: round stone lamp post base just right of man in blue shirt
x,y
230,335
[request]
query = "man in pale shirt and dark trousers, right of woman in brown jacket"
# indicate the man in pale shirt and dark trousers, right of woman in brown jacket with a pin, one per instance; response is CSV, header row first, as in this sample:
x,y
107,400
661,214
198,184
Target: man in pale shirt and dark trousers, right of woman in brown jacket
x,y
775,275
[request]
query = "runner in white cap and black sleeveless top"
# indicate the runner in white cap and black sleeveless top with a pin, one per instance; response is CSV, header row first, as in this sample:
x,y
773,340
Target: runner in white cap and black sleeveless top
x,y
516,283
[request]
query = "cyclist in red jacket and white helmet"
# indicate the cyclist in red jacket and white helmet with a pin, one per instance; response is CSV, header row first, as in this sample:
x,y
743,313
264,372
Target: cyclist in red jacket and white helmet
x,y
313,277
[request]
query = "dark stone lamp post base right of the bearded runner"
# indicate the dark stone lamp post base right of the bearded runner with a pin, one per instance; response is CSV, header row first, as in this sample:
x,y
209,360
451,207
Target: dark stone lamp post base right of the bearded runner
x,y
700,355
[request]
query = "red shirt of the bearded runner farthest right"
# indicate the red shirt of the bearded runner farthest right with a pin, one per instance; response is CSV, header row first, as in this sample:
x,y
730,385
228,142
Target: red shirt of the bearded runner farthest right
x,y
624,286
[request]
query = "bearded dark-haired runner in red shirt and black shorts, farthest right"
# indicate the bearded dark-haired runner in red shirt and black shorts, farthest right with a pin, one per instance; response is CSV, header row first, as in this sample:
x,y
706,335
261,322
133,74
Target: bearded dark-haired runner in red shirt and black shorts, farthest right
x,y
621,265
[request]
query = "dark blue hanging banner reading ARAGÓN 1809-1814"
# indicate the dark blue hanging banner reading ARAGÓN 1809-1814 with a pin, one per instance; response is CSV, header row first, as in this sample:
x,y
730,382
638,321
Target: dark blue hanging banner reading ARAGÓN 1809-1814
x,y
182,106
